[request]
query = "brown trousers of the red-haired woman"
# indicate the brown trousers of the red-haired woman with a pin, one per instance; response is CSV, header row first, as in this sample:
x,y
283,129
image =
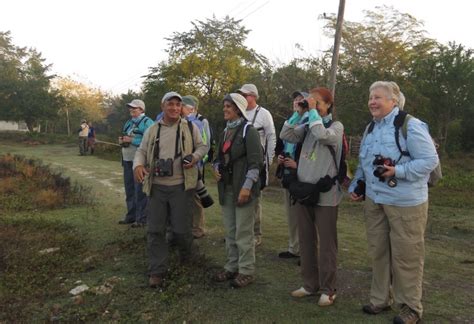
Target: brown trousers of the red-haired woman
x,y
317,232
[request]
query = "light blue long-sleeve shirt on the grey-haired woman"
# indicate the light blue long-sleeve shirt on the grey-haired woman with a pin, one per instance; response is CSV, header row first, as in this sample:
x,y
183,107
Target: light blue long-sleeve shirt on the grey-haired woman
x,y
411,172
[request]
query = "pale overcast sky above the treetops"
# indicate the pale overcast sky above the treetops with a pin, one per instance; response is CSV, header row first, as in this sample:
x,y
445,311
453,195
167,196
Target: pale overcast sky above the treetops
x,y
110,44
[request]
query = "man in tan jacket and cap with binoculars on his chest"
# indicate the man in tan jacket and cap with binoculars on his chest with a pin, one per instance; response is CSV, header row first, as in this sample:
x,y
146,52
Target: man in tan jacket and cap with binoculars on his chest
x,y
166,163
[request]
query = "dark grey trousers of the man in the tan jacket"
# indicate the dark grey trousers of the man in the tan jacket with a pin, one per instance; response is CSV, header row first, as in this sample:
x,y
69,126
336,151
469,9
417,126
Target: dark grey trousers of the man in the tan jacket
x,y
168,206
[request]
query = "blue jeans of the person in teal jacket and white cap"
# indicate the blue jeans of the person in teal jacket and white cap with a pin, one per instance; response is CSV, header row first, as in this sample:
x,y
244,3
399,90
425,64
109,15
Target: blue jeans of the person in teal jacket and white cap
x,y
134,196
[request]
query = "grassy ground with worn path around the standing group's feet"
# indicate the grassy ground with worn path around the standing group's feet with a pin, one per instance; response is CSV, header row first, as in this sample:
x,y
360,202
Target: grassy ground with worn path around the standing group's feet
x,y
111,259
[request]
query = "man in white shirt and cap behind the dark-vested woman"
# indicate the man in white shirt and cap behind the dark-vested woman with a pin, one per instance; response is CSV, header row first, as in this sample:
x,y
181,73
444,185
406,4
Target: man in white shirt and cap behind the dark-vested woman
x,y
262,120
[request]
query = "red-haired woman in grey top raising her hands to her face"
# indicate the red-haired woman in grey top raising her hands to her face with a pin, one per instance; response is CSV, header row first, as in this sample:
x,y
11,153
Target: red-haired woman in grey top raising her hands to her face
x,y
317,172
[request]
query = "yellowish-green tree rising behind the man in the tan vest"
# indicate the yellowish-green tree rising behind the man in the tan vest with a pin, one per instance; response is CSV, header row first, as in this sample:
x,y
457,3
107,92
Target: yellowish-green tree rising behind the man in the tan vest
x,y
208,61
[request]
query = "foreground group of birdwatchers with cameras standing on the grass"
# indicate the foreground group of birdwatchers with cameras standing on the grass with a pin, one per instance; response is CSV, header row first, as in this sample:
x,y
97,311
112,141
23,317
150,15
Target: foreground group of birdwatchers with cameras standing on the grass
x,y
168,163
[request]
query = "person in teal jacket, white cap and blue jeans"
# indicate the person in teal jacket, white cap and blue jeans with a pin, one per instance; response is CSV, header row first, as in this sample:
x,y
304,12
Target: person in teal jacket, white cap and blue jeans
x,y
132,134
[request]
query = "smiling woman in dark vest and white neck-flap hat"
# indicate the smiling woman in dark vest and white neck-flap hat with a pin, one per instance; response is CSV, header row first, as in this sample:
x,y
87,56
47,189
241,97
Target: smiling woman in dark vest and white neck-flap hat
x,y
237,169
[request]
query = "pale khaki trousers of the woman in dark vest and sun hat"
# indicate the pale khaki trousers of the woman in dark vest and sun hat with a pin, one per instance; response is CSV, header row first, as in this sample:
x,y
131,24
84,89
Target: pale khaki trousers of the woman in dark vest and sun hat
x,y
239,238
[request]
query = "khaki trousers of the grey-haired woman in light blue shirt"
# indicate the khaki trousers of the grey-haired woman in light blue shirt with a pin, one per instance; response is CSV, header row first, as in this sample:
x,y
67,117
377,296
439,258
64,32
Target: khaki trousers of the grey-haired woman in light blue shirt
x,y
397,247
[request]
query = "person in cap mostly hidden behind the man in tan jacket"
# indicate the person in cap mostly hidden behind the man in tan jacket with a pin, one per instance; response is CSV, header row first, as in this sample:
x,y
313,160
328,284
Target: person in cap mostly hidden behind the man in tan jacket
x,y
202,199
